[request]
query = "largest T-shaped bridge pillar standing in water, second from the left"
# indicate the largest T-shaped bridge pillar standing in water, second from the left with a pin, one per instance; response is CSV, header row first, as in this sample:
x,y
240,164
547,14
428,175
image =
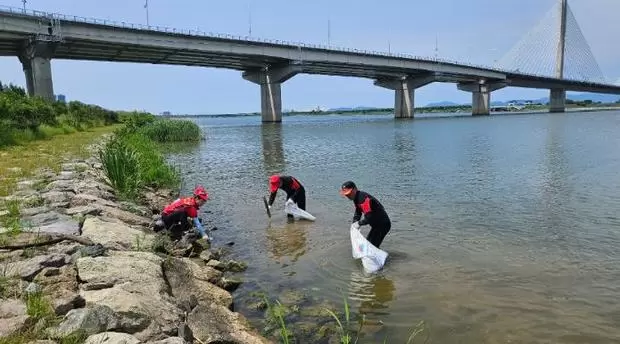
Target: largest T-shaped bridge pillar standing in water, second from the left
x,y
270,80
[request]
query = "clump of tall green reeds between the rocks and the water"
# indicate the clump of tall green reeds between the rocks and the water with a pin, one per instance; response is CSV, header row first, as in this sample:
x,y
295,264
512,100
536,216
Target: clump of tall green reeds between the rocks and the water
x,y
133,158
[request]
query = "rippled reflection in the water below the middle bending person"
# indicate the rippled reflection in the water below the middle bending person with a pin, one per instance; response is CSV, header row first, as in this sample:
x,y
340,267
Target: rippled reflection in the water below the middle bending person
x,y
287,241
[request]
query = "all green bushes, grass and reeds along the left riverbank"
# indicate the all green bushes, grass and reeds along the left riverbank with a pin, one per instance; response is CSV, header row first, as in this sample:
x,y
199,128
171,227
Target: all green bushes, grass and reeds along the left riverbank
x,y
36,133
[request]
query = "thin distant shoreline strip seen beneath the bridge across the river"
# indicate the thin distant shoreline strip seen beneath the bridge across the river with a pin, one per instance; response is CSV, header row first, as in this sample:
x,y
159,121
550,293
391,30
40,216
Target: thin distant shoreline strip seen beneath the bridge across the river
x,y
459,109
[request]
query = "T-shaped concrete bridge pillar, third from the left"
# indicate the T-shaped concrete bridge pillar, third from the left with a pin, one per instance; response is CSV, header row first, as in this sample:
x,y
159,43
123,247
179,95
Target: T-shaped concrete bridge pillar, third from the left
x,y
404,92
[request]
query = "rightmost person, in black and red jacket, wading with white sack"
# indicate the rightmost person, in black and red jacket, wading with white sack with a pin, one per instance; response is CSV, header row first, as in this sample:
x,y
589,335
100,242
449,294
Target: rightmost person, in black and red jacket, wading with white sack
x,y
373,211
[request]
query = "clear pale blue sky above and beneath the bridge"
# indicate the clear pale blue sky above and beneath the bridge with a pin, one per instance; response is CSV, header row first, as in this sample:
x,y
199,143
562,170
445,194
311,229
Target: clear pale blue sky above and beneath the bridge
x,y
474,31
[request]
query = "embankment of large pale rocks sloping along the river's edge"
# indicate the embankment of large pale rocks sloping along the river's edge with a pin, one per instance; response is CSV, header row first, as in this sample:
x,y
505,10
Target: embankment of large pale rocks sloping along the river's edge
x,y
94,260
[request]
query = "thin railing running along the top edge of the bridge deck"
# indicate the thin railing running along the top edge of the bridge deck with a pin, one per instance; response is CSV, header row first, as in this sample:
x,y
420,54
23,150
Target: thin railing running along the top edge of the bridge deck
x,y
300,45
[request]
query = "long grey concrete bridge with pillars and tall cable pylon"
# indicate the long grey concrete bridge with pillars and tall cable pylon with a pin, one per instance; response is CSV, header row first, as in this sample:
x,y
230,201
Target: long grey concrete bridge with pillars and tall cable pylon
x,y
38,37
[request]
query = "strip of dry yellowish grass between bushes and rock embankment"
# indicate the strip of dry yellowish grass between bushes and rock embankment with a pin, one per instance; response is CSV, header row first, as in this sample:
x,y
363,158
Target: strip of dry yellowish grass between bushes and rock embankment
x,y
29,157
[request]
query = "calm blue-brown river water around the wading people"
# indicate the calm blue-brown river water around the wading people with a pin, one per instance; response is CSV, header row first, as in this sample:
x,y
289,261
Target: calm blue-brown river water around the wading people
x,y
505,229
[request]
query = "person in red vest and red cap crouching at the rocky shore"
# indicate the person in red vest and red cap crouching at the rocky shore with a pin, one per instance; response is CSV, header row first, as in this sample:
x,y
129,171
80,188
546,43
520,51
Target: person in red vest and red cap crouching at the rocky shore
x,y
174,217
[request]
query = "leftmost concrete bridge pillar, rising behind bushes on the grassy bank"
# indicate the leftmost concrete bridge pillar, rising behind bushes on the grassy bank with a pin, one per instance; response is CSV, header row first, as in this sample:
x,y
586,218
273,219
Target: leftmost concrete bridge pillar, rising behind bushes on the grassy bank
x,y
36,61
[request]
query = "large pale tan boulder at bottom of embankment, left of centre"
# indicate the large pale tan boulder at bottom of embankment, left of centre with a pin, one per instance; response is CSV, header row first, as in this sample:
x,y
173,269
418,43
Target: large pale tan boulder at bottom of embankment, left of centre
x,y
132,284
